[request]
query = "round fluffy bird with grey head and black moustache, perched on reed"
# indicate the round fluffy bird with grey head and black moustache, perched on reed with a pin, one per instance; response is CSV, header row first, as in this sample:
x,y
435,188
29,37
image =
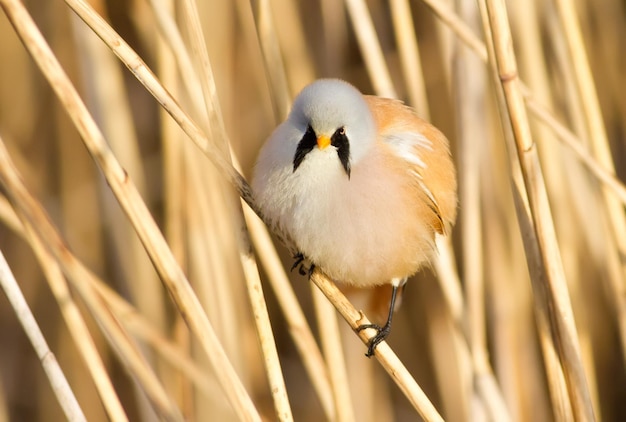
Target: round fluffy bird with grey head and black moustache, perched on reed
x,y
359,186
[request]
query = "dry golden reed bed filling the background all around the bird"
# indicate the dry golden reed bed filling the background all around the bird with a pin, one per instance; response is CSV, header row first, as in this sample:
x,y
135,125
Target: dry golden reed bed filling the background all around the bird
x,y
493,346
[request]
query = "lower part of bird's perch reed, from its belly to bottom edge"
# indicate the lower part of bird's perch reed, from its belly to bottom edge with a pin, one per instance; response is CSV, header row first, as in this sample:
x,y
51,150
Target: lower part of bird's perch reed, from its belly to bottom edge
x,y
388,360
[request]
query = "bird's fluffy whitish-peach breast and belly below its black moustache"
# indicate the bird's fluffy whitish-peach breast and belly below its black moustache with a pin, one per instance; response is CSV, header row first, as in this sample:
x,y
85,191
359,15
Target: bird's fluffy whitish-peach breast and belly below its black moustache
x,y
363,230
